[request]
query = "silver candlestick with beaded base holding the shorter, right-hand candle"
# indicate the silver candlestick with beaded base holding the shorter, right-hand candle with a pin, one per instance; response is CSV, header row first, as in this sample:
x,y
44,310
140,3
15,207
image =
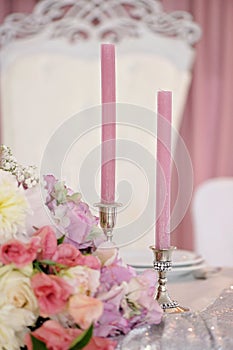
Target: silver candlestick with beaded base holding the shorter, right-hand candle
x,y
163,264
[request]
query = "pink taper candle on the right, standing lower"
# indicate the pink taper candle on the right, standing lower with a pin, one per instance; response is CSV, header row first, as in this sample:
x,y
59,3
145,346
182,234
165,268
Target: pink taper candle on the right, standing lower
x,y
163,175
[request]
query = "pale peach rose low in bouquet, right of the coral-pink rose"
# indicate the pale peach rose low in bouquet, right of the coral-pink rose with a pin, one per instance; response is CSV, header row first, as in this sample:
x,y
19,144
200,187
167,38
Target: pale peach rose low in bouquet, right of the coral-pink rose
x,y
84,310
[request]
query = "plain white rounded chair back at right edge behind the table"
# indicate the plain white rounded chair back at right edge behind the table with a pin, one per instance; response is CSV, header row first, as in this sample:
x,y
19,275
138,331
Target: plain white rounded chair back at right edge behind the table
x,y
212,211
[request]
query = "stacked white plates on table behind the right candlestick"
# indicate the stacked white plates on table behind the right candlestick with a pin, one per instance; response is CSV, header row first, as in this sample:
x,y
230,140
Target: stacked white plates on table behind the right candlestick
x,y
180,258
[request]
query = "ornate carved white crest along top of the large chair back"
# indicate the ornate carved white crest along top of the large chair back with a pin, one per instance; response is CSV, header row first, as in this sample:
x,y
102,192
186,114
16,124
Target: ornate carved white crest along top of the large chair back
x,y
111,20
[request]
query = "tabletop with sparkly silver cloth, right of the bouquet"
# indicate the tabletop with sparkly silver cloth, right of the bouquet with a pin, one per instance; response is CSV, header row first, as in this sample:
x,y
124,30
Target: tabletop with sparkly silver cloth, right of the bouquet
x,y
208,324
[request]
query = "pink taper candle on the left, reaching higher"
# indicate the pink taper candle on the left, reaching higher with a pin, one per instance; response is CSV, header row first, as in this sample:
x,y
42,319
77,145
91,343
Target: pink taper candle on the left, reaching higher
x,y
108,123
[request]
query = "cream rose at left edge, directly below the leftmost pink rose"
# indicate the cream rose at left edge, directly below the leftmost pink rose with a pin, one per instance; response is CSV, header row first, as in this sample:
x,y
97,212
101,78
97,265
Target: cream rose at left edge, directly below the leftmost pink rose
x,y
15,289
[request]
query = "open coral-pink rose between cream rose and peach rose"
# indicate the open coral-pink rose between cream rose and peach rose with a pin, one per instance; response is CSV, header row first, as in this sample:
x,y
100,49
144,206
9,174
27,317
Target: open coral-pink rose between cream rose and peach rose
x,y
52,293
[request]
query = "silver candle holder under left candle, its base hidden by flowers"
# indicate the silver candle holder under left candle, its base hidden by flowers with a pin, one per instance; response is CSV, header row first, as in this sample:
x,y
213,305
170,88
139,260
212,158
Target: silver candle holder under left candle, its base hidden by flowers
x,y
108,215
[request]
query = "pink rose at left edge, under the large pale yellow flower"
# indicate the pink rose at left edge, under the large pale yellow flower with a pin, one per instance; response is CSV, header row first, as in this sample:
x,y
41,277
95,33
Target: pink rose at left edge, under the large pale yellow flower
x,y
19,253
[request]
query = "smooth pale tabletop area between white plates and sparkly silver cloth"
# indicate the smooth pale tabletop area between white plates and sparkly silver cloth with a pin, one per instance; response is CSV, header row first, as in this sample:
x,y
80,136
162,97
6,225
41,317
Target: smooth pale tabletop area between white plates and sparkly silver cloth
x,y
197,294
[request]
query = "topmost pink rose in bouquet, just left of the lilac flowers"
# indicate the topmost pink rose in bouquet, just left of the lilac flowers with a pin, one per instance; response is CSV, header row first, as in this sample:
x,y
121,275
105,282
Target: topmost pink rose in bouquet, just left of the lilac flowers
x,y
48,242
